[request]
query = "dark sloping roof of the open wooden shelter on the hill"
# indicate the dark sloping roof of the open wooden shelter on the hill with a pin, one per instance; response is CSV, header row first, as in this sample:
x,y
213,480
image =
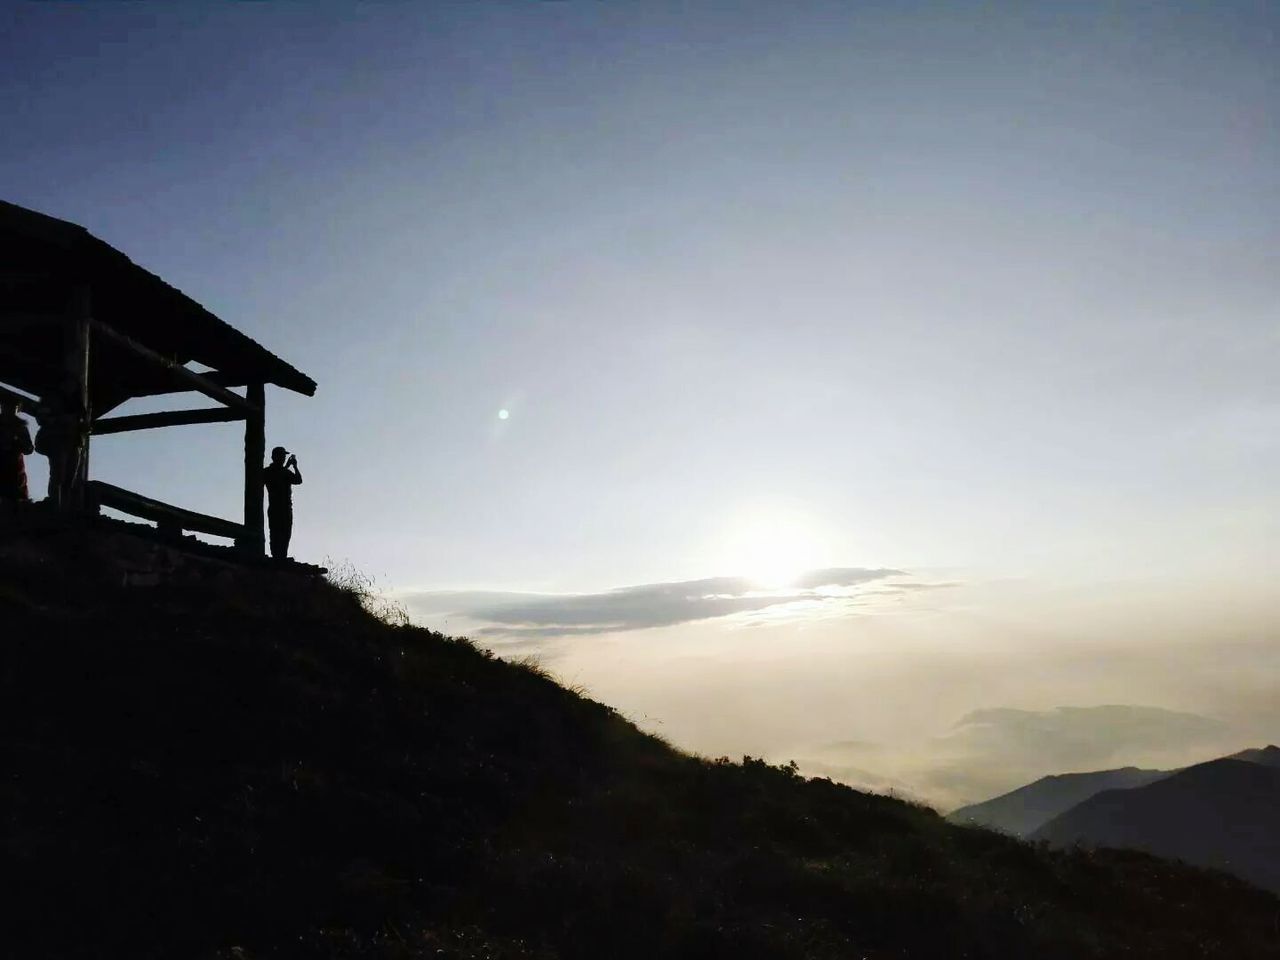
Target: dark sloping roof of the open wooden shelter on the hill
x,y
43,260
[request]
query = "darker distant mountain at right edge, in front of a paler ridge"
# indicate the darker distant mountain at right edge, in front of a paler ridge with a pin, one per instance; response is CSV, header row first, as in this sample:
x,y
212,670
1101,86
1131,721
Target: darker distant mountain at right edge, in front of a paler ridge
x,y
1223,813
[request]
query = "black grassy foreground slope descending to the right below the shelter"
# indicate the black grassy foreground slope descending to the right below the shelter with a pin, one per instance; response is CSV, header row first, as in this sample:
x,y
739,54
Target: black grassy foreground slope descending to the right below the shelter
x,y
263,770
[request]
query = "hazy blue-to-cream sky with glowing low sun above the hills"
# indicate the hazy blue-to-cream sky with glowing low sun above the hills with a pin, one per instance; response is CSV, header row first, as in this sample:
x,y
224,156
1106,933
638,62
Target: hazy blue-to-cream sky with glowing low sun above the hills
x,y
888,387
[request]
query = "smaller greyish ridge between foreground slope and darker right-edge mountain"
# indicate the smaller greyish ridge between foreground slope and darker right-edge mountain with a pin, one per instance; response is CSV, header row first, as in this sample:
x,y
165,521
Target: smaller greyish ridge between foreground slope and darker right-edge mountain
x,y
1022,812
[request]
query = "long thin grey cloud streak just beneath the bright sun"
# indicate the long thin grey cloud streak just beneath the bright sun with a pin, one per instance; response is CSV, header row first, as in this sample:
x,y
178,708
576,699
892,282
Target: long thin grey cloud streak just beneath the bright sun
x,y
533,616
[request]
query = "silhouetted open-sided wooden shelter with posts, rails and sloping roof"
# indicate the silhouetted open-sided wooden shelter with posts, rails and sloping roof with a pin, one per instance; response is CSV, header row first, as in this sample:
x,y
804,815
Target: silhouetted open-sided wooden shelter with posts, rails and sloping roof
x,y
85,328
